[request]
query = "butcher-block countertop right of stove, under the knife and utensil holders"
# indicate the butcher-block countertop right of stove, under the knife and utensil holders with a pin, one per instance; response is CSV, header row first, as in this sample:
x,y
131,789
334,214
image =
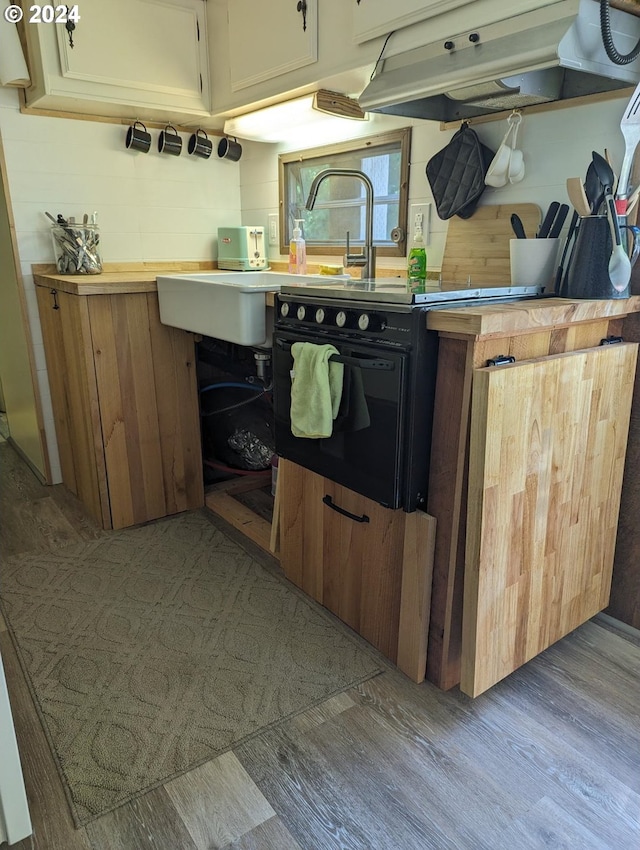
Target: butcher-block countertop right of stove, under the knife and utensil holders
x,y
526,316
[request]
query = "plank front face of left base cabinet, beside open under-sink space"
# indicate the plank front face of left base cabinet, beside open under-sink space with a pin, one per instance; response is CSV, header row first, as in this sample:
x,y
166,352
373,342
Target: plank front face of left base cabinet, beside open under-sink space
x,y
148,403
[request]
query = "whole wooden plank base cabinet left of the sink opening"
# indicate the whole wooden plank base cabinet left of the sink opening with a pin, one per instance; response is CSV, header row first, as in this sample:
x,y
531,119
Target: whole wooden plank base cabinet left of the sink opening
x,y
125,403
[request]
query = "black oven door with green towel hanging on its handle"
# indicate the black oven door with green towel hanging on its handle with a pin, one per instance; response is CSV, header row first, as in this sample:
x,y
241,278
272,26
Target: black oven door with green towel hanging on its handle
x,y
366,449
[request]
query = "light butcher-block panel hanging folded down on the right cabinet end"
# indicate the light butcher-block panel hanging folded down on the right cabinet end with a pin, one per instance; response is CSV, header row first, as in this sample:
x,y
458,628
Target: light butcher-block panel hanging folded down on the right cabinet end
x,y
548,441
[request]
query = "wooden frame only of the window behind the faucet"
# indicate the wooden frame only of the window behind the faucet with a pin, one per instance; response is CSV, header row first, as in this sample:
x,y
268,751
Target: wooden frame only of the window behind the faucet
x,y
362,143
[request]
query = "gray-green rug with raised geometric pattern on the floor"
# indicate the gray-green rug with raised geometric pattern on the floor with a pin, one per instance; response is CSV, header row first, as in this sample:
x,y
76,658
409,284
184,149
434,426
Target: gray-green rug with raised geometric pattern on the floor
x,y
154,649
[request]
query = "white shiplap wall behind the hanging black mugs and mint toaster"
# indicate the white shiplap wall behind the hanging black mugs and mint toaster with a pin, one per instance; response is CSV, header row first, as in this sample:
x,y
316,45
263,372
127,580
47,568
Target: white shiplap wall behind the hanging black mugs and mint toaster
x,y
150,206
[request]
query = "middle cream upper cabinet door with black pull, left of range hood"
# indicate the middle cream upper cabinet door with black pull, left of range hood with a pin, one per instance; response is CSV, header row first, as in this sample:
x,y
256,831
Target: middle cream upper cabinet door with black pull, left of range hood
x,y
269,39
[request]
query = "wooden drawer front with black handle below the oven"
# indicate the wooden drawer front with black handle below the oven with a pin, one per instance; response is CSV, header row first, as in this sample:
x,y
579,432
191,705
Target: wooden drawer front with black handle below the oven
x,y
369,565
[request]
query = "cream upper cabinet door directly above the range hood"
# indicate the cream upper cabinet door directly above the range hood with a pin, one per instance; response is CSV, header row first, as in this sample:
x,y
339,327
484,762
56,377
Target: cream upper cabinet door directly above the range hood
x,y
372,18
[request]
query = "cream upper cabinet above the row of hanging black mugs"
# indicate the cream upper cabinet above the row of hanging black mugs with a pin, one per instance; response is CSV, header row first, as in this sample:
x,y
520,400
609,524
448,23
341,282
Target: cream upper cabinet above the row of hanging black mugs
x,y
141,58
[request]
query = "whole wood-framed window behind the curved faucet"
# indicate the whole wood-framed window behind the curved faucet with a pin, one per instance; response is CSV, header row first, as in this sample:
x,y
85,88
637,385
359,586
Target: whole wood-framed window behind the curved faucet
x,y
340,205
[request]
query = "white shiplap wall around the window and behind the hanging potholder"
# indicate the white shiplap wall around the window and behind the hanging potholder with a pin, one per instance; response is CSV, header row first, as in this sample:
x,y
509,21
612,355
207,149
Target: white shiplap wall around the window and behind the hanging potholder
x,y
556,144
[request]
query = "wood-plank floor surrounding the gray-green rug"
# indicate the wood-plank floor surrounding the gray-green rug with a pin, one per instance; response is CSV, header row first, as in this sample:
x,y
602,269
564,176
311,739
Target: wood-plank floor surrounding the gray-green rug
x,y
549,758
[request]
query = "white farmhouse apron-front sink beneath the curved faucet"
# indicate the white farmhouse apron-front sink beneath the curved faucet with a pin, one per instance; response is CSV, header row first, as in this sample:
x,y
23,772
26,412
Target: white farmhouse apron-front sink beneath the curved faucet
x,y
225,305
